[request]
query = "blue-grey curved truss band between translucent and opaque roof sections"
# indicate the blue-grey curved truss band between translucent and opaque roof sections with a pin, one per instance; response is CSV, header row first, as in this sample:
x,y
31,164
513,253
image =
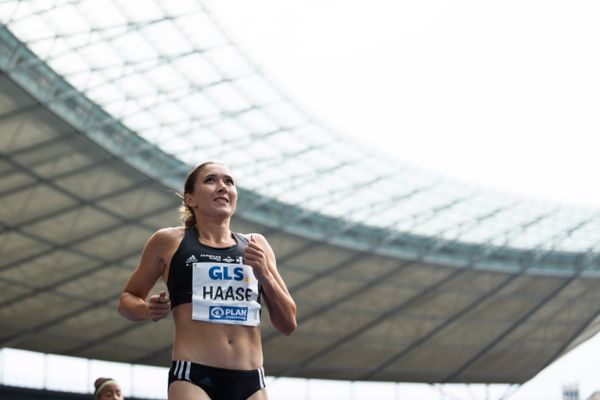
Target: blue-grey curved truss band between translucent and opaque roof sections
x,y
44,84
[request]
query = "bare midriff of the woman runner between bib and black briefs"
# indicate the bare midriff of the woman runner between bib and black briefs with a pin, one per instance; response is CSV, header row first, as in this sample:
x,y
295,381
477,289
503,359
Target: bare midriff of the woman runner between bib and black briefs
x,y
216,345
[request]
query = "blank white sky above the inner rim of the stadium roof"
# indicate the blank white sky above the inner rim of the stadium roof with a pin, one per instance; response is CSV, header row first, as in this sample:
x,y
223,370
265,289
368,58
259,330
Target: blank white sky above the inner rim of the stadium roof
x,y
504,94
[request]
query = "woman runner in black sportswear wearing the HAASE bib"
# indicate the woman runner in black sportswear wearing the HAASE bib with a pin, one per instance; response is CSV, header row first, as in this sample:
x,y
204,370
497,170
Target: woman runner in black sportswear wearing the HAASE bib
x,y
216,281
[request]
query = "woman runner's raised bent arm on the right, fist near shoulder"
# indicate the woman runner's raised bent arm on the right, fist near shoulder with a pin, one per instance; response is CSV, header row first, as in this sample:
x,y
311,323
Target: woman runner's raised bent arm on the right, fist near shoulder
x,y
282,308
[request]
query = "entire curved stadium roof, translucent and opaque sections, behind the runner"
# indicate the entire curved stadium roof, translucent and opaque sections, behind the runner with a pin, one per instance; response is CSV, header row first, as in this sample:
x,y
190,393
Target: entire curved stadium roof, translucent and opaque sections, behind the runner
x,y
398,274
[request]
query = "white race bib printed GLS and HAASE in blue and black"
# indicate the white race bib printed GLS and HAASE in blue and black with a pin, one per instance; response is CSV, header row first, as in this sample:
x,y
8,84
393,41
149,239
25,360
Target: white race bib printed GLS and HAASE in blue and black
x,y
225,293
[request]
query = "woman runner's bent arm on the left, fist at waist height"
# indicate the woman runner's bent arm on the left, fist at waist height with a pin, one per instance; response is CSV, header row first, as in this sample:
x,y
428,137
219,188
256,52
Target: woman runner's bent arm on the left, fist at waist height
x,y
132,303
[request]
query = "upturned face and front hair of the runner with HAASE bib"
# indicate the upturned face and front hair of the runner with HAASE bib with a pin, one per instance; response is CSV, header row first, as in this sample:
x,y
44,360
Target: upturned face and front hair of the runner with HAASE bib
x,y
214,192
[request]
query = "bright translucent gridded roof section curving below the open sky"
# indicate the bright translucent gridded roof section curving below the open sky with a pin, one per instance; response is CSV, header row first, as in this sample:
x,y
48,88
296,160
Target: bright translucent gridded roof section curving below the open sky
x,y
167,71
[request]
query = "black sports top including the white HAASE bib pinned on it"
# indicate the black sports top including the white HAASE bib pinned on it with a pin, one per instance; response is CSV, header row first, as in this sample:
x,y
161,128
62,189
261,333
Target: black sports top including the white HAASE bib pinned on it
x,y
215,280
